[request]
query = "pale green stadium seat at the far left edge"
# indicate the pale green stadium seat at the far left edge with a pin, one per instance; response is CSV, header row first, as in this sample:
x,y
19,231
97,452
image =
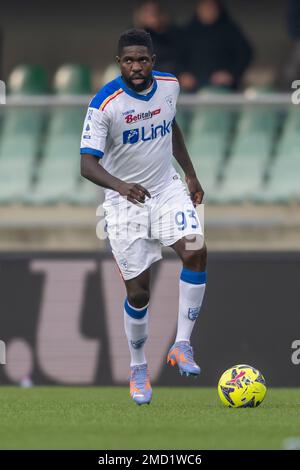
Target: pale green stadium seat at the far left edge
x,y
21,134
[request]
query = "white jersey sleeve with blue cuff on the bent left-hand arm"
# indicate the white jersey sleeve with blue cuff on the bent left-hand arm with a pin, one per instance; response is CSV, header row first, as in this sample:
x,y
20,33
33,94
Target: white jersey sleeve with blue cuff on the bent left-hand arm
x,y
94,134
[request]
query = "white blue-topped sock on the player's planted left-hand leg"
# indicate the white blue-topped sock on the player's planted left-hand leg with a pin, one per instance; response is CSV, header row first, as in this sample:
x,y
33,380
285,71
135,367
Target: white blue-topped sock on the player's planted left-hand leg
x,y
136,329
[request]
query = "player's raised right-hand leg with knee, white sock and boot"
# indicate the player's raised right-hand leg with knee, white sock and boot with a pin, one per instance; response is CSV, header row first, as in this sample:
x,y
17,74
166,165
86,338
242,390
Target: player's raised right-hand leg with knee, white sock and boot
x,y
191,292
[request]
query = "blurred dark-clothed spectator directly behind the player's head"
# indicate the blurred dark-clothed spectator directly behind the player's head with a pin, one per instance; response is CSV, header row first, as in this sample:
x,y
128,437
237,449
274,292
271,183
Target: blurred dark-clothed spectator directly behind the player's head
x,y
152,17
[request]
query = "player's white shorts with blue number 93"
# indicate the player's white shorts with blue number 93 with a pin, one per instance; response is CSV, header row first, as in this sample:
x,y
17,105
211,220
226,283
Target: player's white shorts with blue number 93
x,y
137,232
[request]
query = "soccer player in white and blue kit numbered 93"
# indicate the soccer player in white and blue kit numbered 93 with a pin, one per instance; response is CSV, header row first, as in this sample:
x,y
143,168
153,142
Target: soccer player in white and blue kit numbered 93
x,y
129,137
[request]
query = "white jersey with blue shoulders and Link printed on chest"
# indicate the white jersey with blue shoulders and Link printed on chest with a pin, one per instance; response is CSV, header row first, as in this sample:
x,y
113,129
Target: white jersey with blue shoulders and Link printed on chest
x,y
132,132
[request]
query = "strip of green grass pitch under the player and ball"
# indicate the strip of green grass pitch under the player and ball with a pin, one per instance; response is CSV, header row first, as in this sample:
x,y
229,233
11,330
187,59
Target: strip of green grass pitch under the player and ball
x,y
106,418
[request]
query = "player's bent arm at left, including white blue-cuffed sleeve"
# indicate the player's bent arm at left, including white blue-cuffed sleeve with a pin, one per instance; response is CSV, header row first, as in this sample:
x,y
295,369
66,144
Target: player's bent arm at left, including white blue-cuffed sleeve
x,y
95,131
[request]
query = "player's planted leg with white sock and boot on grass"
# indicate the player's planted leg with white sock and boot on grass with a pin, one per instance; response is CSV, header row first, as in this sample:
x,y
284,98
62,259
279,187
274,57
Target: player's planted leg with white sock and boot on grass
x,y
136,329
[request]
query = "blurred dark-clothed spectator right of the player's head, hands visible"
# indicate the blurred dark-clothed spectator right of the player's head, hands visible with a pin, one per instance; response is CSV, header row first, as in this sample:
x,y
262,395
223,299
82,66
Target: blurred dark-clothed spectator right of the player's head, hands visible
x,y
215,51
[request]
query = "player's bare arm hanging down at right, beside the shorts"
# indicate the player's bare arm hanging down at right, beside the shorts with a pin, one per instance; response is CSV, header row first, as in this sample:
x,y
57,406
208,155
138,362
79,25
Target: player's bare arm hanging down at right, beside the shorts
x,y
182,156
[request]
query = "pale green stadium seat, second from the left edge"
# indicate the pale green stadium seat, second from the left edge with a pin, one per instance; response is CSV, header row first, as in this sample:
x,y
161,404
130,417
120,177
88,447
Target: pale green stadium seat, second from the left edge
x,y
58,175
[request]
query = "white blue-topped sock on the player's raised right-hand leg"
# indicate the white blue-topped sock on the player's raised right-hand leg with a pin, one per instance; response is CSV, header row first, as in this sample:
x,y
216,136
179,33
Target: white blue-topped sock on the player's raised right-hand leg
x,y
191,292
